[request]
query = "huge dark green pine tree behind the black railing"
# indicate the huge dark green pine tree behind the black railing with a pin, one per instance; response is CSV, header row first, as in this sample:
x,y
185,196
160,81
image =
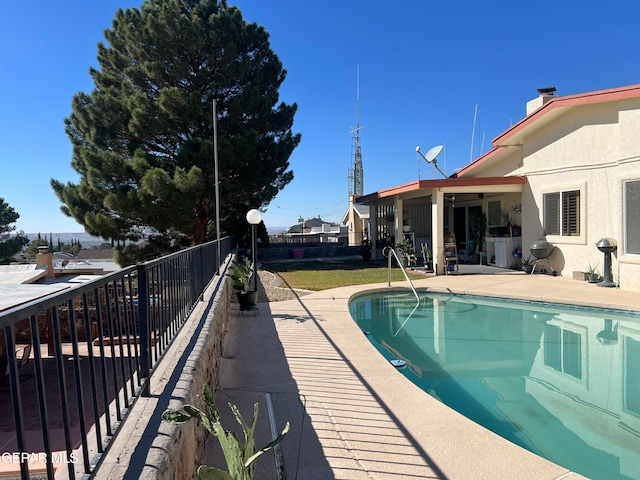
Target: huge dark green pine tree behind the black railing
x,y
143,138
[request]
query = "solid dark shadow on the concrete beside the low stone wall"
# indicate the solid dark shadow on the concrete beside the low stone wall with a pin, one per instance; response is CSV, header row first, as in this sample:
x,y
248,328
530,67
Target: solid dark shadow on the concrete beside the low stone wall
x,y
253,368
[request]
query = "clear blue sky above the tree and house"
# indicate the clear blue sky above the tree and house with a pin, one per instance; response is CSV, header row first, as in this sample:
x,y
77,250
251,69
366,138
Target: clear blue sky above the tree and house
x,y
424,66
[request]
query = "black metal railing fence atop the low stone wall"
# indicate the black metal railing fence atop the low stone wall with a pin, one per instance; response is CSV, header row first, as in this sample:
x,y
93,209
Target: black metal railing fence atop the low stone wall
x,y
73,363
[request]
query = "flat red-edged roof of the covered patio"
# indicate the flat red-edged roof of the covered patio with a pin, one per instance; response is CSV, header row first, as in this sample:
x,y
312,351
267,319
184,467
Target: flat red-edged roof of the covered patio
x,y
448,185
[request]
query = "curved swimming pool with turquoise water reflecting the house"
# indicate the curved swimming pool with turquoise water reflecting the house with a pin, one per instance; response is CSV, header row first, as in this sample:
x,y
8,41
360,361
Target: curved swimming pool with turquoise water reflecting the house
x,y
562,382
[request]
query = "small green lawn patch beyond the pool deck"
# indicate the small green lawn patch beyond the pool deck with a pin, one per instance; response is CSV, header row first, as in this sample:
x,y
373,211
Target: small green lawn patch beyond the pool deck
x,y
316,275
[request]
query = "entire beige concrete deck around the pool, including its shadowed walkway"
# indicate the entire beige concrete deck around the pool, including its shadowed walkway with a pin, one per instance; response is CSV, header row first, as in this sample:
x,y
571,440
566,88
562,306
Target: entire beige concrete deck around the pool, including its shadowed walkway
x,y
353,416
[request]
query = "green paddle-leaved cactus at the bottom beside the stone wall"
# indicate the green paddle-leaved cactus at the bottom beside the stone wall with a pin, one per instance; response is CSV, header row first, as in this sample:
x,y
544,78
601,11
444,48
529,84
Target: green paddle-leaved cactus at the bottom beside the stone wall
x,y
239,456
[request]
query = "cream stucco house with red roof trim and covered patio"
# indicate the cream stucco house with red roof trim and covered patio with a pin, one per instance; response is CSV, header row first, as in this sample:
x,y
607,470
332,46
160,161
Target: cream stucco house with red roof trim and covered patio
x,y
569,173
